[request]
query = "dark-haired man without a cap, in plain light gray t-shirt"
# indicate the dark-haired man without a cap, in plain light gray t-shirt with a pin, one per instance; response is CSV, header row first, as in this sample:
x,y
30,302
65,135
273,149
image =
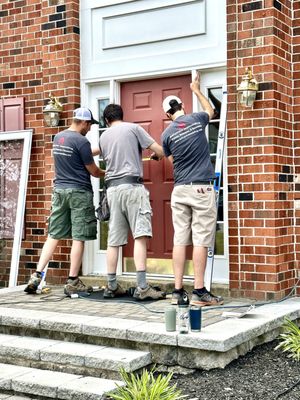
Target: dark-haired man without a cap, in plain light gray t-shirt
x,y
121,146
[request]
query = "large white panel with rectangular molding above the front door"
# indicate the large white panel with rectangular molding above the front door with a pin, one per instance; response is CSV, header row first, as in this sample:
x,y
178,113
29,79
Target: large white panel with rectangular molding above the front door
x,y
150,36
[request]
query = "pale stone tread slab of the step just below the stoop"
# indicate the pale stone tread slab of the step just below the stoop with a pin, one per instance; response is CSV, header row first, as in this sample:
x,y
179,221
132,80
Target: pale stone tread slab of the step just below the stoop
x,y
70,353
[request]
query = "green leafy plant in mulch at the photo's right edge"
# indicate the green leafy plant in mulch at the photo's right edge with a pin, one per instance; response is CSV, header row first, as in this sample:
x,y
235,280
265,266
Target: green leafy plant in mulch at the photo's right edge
x,y
290,340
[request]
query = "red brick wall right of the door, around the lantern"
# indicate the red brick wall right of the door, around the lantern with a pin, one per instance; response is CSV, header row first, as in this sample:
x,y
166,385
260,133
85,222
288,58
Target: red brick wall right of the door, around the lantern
x,y
260,150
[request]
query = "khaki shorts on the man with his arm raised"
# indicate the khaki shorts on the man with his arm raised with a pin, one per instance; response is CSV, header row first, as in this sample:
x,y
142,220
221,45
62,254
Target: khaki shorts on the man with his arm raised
x,y
194,214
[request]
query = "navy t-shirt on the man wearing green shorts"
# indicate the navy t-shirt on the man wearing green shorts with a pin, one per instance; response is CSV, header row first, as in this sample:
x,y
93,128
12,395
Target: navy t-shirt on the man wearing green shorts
x,y
71,152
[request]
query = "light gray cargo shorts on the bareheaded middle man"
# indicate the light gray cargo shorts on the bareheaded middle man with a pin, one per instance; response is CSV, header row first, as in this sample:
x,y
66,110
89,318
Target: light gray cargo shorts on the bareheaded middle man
x,y
130,208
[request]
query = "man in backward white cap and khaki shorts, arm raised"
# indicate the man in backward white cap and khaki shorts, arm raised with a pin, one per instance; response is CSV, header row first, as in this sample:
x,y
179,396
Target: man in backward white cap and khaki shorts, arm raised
x,y
193,200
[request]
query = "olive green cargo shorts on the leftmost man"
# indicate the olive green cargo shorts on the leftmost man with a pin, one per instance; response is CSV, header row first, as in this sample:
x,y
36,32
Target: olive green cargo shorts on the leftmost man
x,y
72,215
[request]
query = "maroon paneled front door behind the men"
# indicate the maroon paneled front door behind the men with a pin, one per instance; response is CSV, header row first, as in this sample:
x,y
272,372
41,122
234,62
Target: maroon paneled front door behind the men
x,y
142,104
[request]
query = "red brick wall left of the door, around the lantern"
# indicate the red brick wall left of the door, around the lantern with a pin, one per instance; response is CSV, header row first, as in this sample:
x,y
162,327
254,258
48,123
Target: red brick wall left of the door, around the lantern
x,y
39,54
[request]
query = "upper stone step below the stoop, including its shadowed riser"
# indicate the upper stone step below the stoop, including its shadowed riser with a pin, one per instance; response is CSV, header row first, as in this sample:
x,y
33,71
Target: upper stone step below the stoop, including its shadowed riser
x,y
79,358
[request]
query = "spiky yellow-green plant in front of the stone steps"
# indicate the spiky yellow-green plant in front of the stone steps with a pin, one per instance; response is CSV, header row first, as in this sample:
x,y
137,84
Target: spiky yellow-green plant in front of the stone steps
x,y
146,387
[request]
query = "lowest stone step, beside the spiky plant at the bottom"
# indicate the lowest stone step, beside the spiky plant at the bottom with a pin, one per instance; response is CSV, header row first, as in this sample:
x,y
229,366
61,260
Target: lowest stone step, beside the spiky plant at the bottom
x,y
51,384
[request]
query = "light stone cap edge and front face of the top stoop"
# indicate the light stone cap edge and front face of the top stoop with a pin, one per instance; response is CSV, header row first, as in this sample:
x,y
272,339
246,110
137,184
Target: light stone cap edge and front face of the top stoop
x,y
214,347
